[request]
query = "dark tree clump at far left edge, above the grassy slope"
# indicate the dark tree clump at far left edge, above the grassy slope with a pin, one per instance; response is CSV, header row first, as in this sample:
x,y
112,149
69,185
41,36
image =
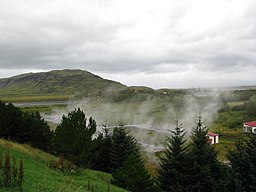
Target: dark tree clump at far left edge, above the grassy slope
x,y
24,127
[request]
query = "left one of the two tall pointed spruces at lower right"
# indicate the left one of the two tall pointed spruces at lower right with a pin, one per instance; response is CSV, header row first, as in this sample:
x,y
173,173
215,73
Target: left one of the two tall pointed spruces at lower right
x,y
174,164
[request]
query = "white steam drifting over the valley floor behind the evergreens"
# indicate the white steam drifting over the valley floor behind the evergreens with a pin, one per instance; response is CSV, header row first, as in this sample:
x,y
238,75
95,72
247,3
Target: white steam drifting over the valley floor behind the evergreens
x,y
151,120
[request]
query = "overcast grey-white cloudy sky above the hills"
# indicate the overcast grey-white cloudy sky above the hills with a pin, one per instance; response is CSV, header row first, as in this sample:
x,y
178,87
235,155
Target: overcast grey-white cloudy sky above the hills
x,y
155,43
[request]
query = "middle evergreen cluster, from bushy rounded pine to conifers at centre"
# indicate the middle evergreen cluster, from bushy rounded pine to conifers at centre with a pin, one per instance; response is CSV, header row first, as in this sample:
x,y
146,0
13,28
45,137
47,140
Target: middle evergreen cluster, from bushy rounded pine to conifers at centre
x,y
113,152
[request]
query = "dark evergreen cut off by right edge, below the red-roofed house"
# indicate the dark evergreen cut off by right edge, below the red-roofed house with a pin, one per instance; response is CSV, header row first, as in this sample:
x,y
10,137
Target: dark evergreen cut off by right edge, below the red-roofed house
x,y
243,164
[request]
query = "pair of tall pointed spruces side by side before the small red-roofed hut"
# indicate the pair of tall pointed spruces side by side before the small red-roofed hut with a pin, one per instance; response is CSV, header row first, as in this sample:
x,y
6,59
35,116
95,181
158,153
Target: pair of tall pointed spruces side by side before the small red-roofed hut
x,y
192,167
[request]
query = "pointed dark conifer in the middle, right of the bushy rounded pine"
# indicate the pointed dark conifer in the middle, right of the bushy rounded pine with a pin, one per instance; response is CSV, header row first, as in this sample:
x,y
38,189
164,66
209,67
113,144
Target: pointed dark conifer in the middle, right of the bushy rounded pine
x,y
122,145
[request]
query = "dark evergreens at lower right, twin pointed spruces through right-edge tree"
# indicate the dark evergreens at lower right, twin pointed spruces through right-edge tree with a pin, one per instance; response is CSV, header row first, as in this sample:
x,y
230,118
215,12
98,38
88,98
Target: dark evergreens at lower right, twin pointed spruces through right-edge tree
x,y
195,167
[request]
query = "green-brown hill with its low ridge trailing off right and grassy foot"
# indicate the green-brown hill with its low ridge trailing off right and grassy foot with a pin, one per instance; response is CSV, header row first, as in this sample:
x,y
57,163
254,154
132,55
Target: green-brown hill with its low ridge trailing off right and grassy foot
x,y
75,84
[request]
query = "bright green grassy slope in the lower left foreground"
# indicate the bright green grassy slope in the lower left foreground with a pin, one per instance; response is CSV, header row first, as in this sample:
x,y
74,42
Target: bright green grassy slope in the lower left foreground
x,y
39,177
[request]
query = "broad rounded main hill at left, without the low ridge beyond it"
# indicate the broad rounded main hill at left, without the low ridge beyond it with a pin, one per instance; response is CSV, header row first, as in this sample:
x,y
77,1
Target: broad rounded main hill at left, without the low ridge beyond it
x,y
58,82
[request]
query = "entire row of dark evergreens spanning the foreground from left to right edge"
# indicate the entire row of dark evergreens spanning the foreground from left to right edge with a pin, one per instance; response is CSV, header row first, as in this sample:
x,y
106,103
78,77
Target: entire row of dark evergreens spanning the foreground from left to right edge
x,y
185,166
